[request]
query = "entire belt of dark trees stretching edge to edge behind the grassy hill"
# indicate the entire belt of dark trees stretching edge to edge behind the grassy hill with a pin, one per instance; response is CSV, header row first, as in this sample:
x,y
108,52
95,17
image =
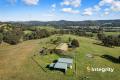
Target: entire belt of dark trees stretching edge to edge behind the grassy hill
x,y
15,34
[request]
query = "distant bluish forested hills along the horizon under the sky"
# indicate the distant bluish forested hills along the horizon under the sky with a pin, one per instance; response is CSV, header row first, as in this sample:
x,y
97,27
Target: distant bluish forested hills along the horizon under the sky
x,y
64,23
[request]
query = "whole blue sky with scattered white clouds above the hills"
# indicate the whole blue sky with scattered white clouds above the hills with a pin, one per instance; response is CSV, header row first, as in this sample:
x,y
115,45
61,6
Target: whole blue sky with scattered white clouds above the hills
x,y
54,10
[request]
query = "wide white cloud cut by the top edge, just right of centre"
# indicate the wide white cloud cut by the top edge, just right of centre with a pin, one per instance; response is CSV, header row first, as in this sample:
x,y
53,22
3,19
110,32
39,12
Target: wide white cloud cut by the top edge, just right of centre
x,y
73,3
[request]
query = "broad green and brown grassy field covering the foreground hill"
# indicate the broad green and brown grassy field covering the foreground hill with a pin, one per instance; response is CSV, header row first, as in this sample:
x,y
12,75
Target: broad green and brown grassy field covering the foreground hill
x,y
18,63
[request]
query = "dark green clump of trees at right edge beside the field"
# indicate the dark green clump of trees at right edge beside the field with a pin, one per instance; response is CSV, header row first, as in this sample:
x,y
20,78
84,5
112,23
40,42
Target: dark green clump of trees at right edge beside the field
x,y
109,40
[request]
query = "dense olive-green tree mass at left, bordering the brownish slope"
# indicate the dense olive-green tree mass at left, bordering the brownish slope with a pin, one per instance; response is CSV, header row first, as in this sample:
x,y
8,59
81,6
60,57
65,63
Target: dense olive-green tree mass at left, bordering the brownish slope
x,y
14,35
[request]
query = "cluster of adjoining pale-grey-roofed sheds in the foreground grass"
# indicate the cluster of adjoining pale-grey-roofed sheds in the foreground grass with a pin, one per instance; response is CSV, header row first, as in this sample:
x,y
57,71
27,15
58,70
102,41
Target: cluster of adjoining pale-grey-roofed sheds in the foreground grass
x,y
62,64
